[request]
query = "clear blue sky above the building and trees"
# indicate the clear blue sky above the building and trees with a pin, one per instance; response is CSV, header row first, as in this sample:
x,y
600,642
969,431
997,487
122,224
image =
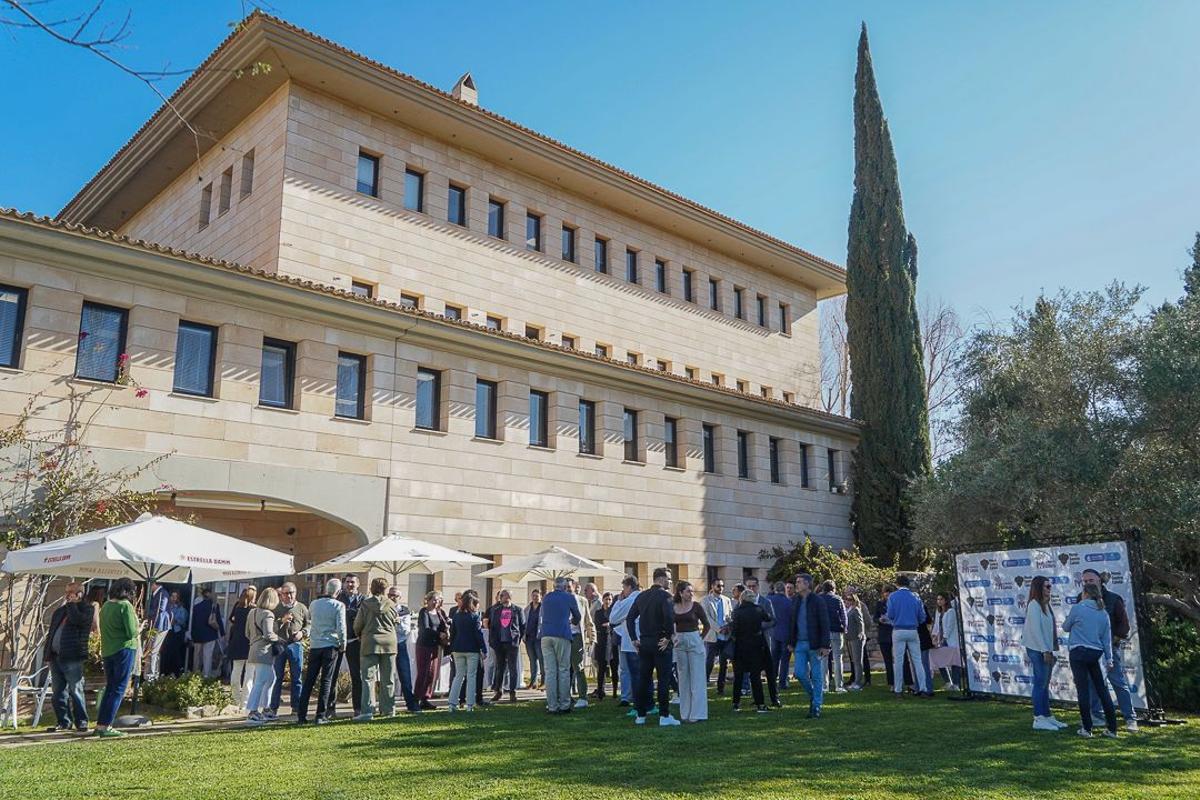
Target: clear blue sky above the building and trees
x,y
1041,145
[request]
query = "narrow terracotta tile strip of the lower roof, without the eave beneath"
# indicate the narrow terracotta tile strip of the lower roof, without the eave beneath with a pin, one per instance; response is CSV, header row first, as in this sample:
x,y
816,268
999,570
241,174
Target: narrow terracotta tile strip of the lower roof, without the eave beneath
x,y
314,286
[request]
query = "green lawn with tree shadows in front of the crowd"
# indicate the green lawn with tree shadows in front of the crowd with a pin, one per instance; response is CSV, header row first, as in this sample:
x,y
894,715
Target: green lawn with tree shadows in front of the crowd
x,y
868,745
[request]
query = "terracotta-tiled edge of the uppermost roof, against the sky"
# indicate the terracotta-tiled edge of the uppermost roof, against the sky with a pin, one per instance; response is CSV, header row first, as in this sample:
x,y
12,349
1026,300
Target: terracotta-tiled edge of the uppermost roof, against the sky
x,y
259,16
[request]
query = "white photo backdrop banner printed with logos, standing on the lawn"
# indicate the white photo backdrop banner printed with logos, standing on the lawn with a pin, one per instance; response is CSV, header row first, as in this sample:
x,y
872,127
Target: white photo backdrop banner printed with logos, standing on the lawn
x,y
994,590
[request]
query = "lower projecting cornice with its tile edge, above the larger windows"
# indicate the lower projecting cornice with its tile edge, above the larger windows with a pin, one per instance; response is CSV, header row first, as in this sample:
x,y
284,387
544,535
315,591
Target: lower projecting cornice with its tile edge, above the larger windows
x,y
116,257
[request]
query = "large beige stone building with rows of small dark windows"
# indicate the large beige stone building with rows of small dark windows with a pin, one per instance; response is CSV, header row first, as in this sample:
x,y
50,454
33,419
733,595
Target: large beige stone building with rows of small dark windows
x,y
374,306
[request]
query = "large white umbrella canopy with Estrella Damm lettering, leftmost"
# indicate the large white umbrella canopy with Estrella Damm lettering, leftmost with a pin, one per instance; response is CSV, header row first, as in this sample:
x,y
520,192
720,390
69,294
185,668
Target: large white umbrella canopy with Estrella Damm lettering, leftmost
x,y
152,549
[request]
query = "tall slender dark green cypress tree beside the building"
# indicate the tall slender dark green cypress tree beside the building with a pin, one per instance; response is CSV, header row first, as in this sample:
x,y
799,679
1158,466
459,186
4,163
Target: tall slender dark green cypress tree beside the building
x,y
889,392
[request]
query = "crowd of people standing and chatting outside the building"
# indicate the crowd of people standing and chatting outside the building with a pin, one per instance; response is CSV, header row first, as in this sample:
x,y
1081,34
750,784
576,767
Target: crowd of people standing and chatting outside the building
x,y
651,648
